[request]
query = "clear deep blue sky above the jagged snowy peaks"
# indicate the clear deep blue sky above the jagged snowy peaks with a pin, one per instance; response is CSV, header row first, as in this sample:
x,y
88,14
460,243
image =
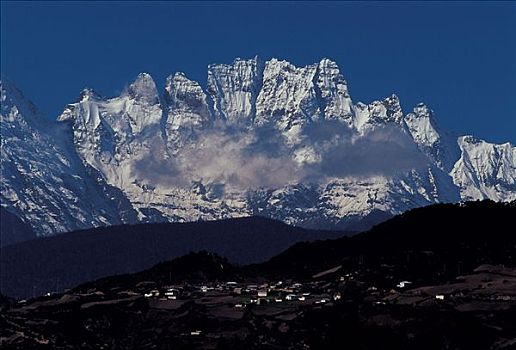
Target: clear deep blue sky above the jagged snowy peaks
x,y
459,58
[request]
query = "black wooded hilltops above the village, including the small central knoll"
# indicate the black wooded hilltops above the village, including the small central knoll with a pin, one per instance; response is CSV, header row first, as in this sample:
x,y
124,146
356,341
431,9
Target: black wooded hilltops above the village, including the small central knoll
x,y
426,245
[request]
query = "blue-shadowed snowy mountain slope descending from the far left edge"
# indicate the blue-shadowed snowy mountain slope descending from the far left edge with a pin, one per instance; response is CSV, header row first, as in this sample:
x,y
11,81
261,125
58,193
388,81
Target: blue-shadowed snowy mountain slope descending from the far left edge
x,y
43,180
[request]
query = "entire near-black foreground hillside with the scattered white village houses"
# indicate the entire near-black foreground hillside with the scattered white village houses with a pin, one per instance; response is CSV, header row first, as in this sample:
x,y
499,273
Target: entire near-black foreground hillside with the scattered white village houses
x,y
441,277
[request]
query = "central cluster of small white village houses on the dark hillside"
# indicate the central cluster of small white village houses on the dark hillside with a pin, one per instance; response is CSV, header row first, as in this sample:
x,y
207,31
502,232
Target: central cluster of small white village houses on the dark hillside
x,y
230,301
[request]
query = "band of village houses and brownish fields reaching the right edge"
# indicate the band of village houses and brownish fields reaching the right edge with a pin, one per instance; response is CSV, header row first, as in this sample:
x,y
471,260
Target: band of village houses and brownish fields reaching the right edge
x,y
285,300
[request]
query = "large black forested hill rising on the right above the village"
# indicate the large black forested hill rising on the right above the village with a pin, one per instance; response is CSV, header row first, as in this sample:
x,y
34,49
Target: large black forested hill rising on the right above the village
x,y
436,241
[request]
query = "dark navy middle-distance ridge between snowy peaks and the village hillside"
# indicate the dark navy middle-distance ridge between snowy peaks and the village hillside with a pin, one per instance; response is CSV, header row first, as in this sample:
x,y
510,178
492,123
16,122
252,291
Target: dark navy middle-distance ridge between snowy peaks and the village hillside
x,y
53,264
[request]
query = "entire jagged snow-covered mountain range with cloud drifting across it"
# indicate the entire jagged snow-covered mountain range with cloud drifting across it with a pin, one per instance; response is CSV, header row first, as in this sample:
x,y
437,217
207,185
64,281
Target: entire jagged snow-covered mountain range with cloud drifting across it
x,y
263,138
